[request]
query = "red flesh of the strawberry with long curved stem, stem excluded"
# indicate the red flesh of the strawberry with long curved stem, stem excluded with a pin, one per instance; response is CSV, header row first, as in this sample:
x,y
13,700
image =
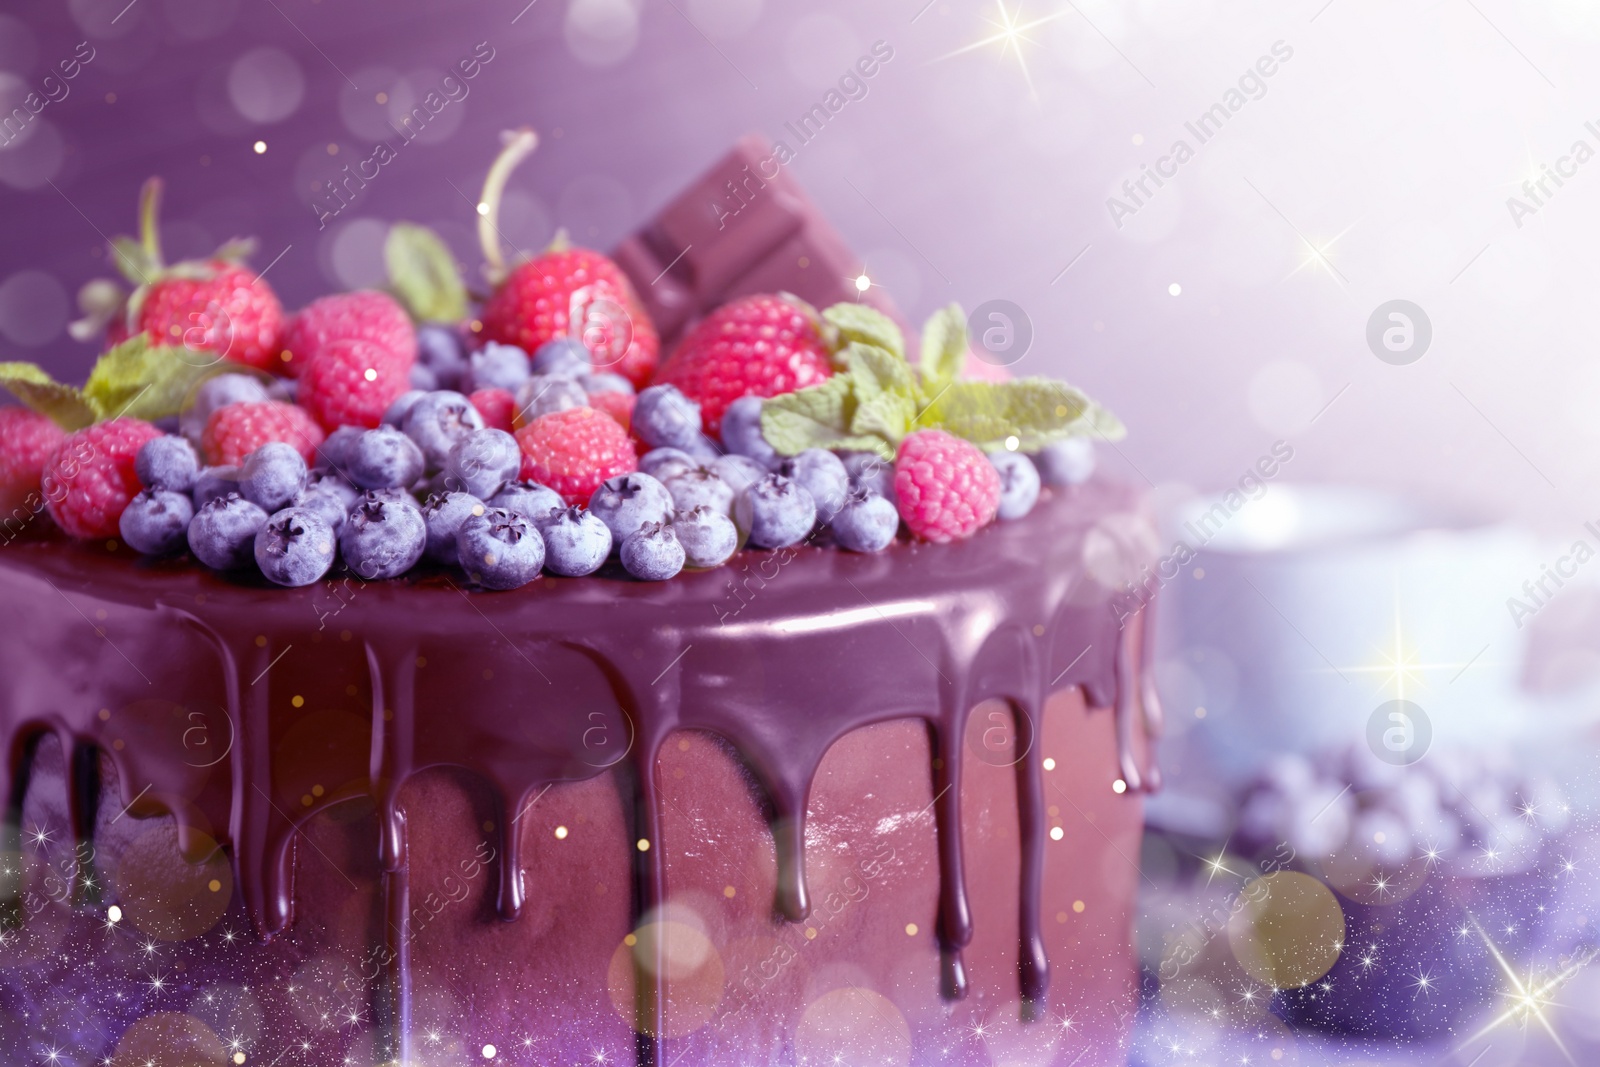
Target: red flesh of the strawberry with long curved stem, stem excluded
x,y
543,297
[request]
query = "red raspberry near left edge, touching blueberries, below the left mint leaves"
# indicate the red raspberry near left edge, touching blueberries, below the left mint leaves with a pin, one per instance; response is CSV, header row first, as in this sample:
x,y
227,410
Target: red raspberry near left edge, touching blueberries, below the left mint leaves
x,y
90,478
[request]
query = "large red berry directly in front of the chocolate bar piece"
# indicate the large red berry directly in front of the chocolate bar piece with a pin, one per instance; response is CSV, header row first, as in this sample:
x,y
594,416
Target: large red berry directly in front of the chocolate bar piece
x,y
756,346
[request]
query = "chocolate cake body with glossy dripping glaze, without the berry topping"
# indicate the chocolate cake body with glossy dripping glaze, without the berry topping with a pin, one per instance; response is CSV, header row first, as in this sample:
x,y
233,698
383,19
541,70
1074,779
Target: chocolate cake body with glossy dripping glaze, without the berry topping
x,y
394,821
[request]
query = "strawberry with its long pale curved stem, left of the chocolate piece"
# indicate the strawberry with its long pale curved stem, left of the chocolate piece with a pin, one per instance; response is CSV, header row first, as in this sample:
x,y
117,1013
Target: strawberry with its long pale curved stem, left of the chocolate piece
x,y
564,292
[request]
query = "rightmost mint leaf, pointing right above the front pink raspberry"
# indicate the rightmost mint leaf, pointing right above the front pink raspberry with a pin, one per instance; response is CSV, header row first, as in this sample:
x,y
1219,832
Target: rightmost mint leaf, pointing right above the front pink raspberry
x,y
1034,410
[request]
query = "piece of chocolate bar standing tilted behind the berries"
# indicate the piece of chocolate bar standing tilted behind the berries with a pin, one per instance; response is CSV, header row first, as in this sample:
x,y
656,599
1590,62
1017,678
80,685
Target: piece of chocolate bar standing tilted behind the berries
x,y
743,228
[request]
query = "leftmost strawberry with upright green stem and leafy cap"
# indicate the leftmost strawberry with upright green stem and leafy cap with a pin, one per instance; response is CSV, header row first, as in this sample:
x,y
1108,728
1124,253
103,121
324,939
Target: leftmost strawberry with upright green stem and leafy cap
x,y
215,306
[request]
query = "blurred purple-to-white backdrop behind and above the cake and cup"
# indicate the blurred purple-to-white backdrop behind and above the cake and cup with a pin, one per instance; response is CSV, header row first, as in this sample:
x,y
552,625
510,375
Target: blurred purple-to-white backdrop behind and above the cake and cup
x,y
1391,142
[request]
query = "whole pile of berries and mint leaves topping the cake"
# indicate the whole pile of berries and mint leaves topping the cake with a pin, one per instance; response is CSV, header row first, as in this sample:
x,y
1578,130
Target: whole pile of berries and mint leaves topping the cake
x,y
532,431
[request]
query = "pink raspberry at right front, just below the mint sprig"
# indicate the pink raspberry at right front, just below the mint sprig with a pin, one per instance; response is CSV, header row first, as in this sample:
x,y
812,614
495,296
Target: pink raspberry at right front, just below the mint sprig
x,y
945,486
